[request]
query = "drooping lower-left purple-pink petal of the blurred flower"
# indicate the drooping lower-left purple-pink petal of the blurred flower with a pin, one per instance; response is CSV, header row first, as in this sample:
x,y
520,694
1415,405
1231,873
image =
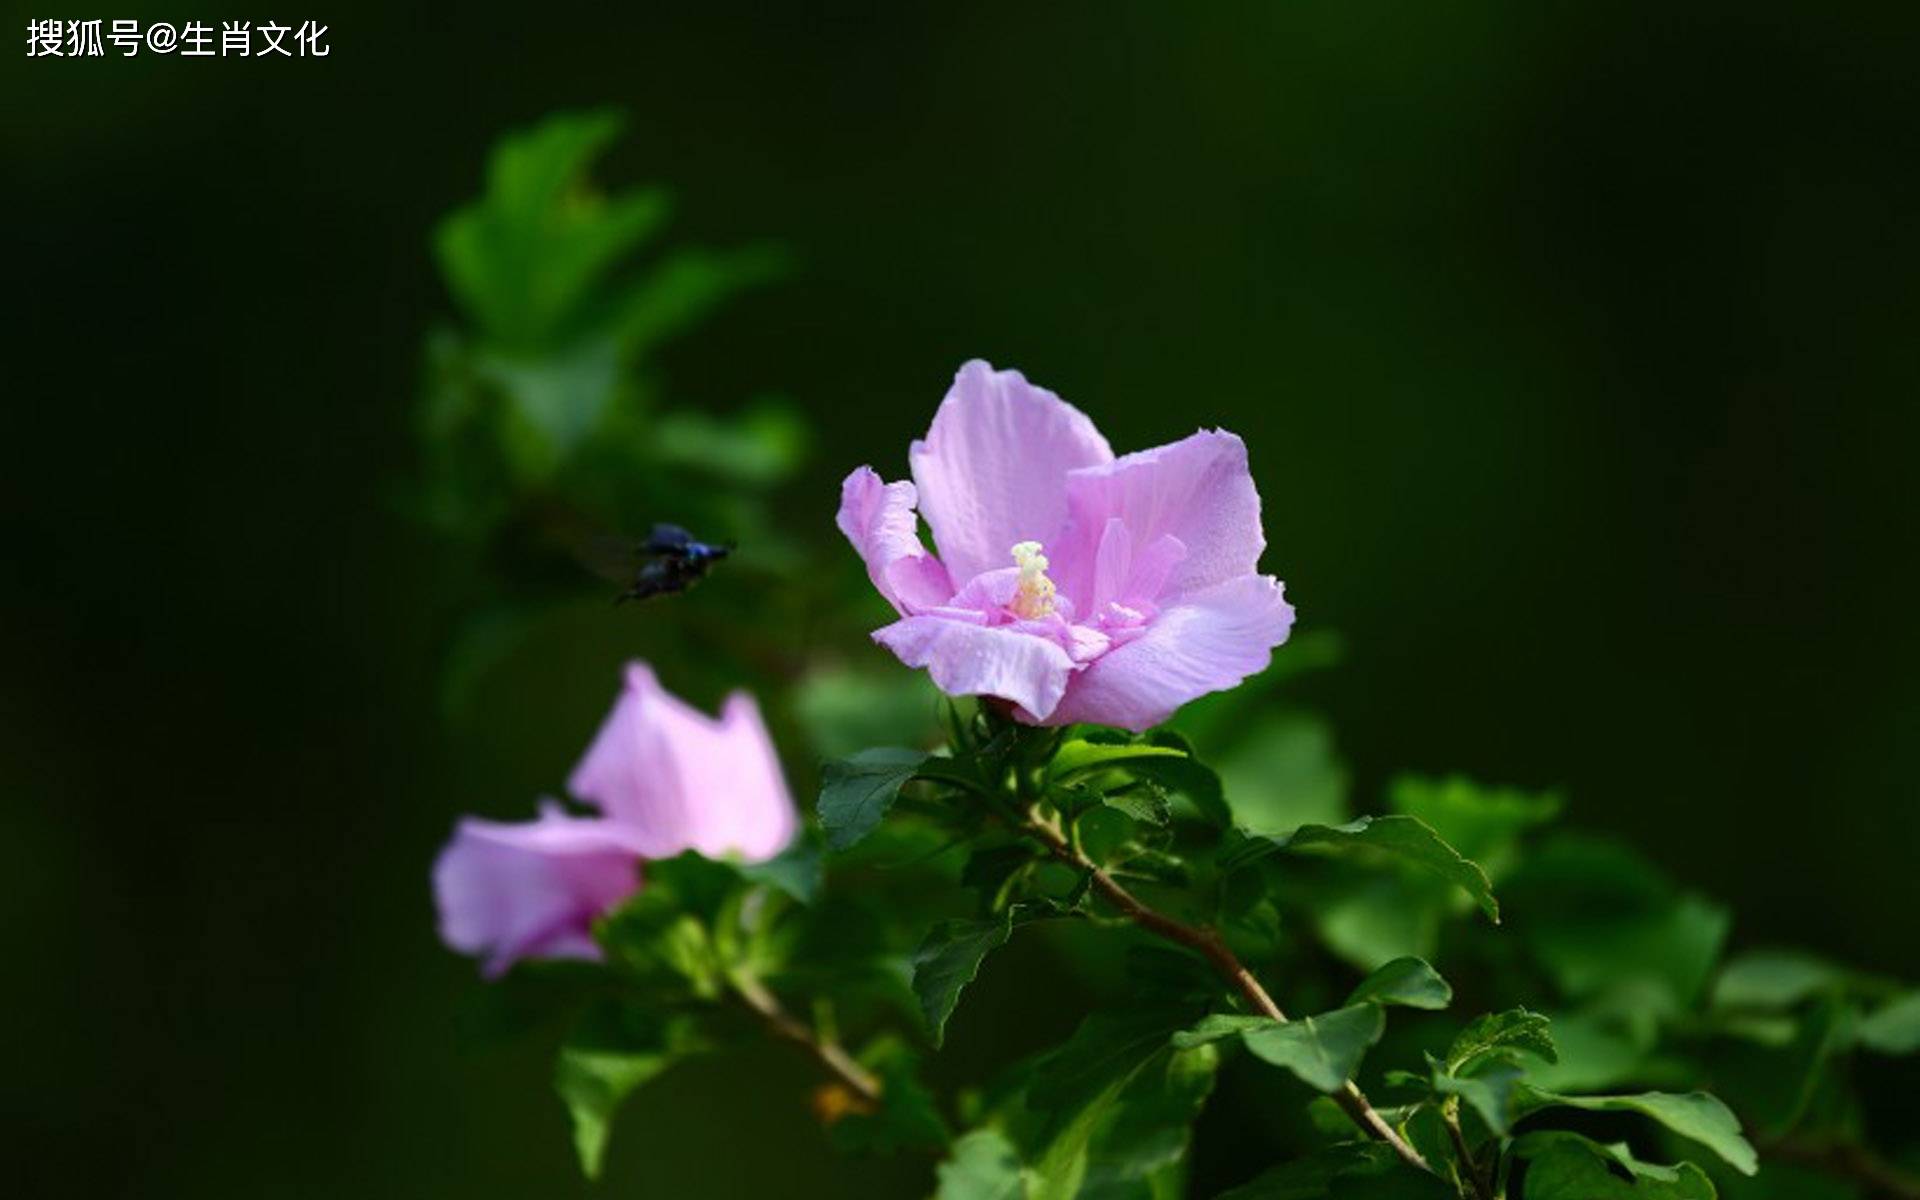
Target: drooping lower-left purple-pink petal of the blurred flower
x,y
533,890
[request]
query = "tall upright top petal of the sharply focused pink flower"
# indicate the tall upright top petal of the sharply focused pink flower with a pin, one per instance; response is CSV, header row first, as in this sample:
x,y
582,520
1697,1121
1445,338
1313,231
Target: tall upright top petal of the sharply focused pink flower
x,y
994,466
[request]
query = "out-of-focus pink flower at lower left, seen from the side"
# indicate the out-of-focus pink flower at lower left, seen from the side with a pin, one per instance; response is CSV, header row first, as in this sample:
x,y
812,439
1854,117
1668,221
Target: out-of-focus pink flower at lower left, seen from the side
x,y
665,777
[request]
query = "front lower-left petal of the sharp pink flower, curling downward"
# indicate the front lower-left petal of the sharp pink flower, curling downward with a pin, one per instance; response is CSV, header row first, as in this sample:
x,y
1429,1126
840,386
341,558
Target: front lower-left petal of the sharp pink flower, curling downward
x,y
972,660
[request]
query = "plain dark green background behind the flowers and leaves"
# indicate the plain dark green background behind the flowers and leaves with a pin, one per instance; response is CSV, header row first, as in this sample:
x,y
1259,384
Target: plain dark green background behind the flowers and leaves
x,y
1575,347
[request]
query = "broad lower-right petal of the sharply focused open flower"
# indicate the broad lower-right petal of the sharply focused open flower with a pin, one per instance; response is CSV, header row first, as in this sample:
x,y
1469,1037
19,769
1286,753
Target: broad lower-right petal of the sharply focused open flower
x,y
1209,642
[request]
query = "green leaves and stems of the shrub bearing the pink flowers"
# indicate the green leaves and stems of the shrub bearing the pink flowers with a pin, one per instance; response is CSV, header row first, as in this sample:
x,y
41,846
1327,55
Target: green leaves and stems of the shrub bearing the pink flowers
x,y
1541,1015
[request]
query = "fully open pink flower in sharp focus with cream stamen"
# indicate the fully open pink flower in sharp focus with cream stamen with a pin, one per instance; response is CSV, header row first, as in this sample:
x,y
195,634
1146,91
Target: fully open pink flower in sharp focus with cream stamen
x,y
1155,594
